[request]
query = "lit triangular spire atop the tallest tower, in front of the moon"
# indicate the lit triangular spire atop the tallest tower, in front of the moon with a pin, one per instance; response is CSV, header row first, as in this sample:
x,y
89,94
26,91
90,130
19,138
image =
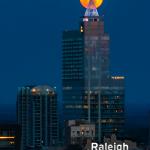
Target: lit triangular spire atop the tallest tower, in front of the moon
x,y
91,10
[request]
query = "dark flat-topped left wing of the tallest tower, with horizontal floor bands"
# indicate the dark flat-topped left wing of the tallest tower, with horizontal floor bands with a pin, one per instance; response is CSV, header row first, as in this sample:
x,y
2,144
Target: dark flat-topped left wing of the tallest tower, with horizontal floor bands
x,y
73,74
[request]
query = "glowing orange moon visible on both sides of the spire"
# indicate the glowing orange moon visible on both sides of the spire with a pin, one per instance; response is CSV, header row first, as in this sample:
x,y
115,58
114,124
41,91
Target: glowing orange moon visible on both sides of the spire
x,y
85,3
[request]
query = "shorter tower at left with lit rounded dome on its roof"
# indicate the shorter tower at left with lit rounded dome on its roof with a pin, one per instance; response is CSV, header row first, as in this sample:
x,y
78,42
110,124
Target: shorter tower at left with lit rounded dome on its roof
x,y
37,116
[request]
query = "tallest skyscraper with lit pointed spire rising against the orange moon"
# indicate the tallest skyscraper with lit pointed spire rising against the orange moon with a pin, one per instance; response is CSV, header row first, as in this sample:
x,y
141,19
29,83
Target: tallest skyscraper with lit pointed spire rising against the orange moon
x,y
89,90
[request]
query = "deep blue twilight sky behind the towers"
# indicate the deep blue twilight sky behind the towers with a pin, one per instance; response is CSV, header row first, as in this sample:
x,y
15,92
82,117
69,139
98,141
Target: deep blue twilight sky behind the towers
x,y
30,46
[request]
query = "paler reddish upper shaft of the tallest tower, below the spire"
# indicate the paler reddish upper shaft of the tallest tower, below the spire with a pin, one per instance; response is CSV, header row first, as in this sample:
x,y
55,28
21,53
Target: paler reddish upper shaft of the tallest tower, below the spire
x,y
96,52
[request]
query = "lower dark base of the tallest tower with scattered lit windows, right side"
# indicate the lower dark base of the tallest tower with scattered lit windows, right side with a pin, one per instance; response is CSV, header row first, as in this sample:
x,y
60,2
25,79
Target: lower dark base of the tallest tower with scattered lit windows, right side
x,y
111,118
